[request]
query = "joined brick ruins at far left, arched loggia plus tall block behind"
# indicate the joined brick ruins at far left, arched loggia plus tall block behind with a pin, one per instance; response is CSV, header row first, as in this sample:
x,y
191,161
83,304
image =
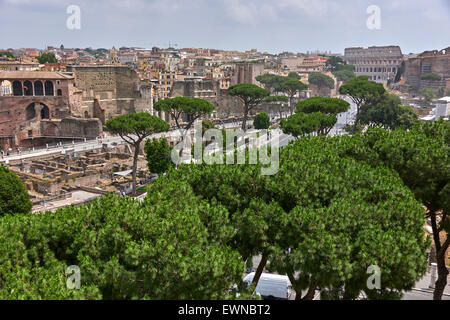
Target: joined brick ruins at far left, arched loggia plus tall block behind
x,y
39,107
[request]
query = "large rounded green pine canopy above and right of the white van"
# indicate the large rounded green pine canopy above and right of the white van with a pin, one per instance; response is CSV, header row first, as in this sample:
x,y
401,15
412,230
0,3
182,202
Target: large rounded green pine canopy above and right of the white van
x,y
325,214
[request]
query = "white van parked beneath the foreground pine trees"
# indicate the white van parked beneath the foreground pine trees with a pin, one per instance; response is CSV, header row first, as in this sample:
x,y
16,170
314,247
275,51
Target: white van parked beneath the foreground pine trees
x,y
272,286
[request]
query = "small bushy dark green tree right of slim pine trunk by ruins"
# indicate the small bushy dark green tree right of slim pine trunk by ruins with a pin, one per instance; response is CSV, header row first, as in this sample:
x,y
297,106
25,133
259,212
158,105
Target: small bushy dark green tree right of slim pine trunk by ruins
x,y
158,155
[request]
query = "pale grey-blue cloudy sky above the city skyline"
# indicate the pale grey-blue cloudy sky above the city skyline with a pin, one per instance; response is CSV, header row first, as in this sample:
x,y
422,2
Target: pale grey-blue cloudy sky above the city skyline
x,y
267,25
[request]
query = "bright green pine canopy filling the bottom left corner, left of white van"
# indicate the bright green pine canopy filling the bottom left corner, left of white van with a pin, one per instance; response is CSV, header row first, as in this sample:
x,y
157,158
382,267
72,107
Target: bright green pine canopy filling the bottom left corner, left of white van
x,y
160,249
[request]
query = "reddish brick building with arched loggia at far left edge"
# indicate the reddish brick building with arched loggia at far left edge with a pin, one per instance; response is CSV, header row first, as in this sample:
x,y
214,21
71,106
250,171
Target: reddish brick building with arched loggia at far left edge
x,y
37,109
